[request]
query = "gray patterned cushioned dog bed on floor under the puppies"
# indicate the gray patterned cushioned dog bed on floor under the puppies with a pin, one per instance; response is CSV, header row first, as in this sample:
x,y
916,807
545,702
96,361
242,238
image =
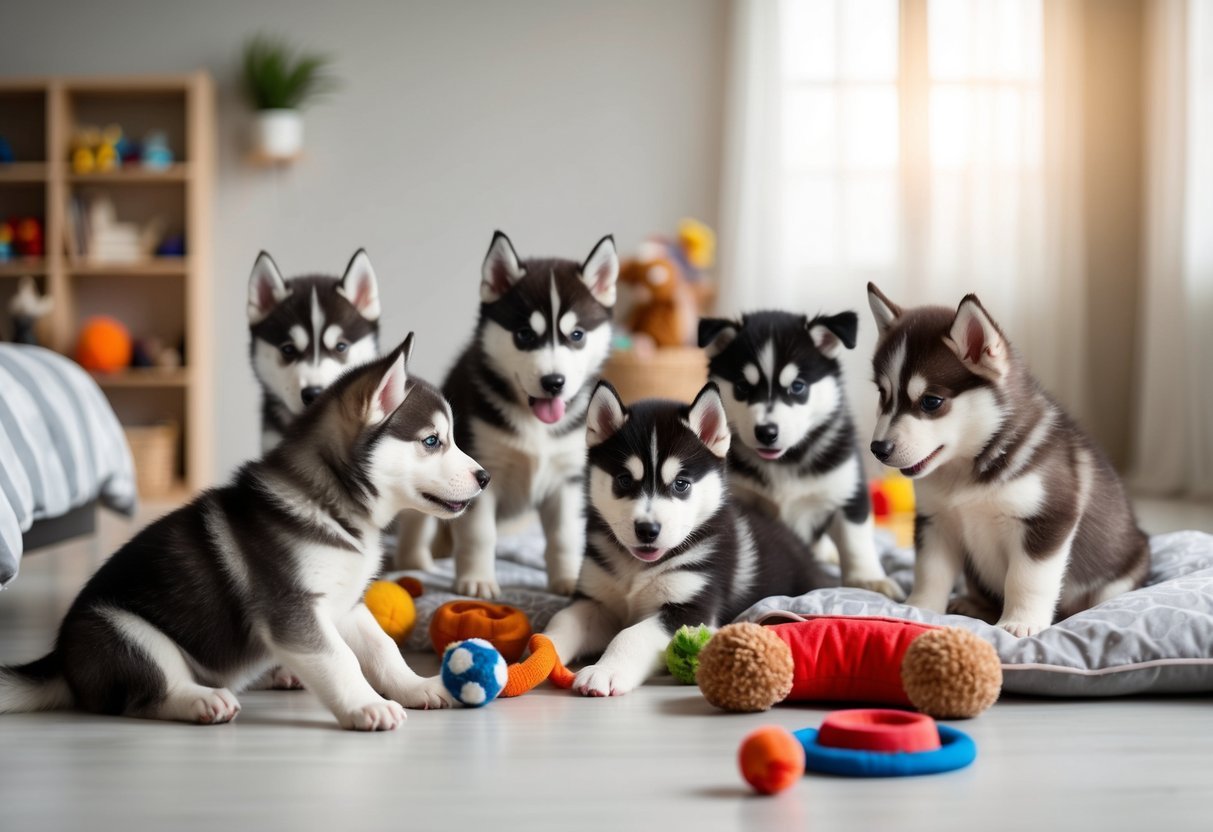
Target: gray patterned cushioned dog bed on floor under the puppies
x,y
1157,640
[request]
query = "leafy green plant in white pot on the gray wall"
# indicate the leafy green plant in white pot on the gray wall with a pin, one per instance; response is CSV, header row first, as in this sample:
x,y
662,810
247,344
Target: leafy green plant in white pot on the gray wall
x,y
280,82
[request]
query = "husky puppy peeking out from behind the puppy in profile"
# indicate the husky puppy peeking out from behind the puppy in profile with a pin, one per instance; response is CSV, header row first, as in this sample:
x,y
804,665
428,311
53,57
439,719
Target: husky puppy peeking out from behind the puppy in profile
x,y
306,332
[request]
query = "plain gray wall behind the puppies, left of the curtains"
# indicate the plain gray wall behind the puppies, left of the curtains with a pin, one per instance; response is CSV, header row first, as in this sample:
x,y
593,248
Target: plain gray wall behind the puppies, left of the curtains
x,y
556,121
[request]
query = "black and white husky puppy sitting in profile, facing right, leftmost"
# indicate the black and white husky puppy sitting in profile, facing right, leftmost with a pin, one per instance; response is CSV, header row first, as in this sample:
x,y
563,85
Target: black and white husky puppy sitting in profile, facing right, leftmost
x,y
269,571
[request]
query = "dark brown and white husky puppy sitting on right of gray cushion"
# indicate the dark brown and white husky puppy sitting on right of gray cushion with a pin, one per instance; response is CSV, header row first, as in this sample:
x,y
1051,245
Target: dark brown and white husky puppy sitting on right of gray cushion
x,y
1011,492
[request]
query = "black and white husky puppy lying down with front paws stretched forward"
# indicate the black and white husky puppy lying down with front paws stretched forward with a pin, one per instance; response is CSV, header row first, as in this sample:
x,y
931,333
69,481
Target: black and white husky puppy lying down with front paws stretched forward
x,y
667,544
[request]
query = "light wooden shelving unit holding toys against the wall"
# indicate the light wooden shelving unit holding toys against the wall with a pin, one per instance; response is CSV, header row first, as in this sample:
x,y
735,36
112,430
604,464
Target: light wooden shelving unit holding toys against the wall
x,y
167,298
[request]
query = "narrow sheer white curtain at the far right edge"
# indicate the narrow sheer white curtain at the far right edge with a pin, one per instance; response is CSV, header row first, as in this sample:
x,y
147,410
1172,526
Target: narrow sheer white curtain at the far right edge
x,y
1174,453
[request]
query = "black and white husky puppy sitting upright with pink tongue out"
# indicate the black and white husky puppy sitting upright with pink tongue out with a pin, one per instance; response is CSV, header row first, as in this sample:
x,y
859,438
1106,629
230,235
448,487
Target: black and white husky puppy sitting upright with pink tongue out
x,y
520,394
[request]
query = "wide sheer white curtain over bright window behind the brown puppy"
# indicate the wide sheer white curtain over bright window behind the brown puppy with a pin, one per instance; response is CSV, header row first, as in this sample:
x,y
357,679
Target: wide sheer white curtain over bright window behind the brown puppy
x,y
931,146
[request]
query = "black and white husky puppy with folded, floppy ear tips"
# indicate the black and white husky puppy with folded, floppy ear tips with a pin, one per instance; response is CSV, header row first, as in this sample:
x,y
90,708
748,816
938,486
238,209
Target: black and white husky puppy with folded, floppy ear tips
x,y
796,455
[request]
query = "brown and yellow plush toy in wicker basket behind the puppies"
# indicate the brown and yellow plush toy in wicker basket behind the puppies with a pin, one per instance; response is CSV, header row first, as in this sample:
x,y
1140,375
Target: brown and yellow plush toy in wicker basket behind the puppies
x,y
664,289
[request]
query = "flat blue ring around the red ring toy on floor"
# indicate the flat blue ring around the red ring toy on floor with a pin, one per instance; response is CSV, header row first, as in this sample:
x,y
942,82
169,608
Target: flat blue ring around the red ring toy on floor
x,y
956,751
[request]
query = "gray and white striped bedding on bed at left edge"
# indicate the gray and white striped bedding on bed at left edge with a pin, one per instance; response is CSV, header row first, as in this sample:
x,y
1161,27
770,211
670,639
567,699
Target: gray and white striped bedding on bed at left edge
x,y
61,447
